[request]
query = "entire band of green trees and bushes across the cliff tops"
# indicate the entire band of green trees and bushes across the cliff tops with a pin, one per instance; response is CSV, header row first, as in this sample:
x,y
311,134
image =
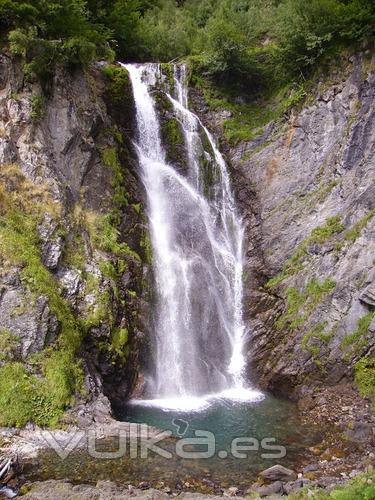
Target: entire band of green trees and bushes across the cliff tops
x,y
252,42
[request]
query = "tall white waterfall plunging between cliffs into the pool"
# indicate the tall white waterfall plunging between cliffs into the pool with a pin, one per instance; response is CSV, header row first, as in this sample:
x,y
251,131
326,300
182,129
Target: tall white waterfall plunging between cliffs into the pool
x,y
197,239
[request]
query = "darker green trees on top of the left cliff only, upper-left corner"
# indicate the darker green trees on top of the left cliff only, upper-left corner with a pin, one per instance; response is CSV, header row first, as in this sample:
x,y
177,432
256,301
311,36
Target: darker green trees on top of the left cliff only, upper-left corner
x,y
71,32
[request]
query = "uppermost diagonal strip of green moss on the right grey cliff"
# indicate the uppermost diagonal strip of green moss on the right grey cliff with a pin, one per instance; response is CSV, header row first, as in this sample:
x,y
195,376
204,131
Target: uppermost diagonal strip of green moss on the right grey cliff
x,y
319,235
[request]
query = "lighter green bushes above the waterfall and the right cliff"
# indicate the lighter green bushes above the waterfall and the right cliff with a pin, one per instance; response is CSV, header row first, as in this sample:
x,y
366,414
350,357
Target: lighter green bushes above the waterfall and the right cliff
x,y
254,42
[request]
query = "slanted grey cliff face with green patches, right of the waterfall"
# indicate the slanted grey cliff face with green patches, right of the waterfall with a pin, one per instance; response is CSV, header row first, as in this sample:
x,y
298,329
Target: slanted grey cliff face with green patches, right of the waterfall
x,y
307,191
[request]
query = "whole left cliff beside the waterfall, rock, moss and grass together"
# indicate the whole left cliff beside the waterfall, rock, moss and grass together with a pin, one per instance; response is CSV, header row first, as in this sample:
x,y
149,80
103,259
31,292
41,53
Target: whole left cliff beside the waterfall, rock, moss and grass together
x,y
73,239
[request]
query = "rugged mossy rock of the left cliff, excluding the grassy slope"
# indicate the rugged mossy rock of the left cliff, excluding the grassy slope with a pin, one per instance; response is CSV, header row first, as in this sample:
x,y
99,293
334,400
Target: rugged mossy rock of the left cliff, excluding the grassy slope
x,y
75,144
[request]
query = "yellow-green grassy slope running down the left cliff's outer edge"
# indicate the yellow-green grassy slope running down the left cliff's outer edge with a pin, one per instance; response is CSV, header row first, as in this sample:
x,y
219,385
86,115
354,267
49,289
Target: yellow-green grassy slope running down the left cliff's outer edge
x,y
41,394
